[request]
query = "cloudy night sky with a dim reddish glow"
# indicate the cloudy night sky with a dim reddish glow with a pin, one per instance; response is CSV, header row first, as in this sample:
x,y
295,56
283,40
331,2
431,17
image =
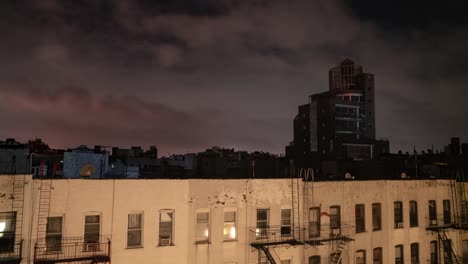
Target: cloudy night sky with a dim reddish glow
x,y
188,75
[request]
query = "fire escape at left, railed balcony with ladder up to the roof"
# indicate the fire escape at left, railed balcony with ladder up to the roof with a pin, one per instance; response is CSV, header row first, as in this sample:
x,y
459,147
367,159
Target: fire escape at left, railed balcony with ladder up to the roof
x,y
57,249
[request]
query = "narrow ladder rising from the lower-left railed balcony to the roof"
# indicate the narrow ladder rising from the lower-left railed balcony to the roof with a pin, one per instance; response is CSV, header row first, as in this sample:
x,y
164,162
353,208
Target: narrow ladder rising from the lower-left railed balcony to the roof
x,y
44,206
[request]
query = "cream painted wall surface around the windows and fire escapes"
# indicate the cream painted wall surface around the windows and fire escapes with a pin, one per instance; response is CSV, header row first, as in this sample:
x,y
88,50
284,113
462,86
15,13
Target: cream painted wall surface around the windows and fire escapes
x,y
114,200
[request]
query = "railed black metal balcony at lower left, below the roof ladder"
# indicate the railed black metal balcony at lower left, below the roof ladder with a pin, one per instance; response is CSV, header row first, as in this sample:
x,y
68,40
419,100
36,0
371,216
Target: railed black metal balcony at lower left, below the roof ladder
x,y
72,250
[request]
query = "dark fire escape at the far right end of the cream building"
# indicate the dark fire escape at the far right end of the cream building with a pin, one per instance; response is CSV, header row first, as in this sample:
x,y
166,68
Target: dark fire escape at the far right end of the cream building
x,y
459,221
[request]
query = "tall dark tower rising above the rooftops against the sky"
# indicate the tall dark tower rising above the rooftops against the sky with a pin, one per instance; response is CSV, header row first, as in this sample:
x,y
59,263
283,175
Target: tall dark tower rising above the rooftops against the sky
x,y
341,121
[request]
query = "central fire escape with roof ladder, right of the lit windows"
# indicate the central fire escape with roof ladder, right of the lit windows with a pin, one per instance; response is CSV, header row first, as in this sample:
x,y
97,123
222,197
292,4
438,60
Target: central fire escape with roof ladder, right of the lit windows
x,y
302,231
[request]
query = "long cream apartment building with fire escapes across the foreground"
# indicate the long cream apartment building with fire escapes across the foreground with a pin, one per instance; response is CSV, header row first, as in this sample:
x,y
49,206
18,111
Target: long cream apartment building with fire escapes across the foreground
x,y
230,221
